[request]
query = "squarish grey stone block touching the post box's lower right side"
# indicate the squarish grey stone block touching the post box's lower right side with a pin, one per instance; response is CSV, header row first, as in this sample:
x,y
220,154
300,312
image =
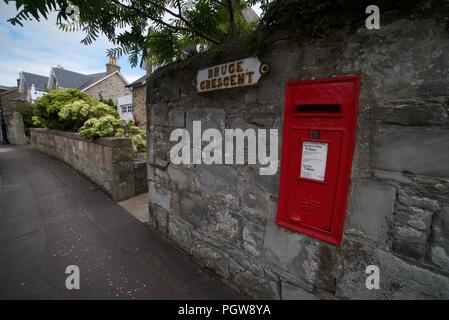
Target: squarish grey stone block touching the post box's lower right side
x,y
371,206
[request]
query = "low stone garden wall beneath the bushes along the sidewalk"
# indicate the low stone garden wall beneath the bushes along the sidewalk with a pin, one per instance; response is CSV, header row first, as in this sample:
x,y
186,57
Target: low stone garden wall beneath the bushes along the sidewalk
x,y
108,161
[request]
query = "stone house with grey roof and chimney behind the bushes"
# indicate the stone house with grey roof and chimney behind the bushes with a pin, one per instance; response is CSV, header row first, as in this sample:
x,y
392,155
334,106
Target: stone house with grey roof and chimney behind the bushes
x,y
108,85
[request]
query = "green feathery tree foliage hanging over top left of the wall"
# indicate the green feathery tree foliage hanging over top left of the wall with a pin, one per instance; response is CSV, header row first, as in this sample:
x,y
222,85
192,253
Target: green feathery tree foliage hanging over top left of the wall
x,y
159,30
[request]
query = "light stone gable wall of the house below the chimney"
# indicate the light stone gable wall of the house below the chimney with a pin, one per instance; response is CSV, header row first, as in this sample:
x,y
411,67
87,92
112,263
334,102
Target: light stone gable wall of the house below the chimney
x,y
110,88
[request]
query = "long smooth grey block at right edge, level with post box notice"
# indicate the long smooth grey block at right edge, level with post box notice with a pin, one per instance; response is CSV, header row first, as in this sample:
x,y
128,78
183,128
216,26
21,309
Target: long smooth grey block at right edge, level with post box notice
x,y
420,151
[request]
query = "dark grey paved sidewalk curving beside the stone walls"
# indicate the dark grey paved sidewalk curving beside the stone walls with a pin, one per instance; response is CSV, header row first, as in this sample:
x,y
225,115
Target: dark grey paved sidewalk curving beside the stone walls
x,y
52,217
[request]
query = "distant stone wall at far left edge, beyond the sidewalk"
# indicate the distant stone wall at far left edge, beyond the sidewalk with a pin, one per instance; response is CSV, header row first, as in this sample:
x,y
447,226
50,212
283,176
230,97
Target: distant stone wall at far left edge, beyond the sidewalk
x,y
15,128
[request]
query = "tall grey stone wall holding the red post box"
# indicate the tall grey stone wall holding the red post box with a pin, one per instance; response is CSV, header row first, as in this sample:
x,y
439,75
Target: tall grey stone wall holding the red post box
x,y
398,210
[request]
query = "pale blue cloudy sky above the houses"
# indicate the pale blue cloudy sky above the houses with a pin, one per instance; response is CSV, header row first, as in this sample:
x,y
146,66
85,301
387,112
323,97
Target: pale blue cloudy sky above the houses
x,y
38,46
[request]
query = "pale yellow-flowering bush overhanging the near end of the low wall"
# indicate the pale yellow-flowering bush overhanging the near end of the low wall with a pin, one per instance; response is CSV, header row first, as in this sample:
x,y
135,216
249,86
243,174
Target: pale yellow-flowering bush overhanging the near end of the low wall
x,y
110,126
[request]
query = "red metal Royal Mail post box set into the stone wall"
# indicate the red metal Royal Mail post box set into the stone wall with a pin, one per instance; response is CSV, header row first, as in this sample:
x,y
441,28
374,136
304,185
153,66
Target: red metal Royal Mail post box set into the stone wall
x,y
317,149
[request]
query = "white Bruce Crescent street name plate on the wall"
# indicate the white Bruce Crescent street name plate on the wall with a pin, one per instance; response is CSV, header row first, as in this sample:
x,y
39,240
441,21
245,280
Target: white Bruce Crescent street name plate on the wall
x,y
238,73
